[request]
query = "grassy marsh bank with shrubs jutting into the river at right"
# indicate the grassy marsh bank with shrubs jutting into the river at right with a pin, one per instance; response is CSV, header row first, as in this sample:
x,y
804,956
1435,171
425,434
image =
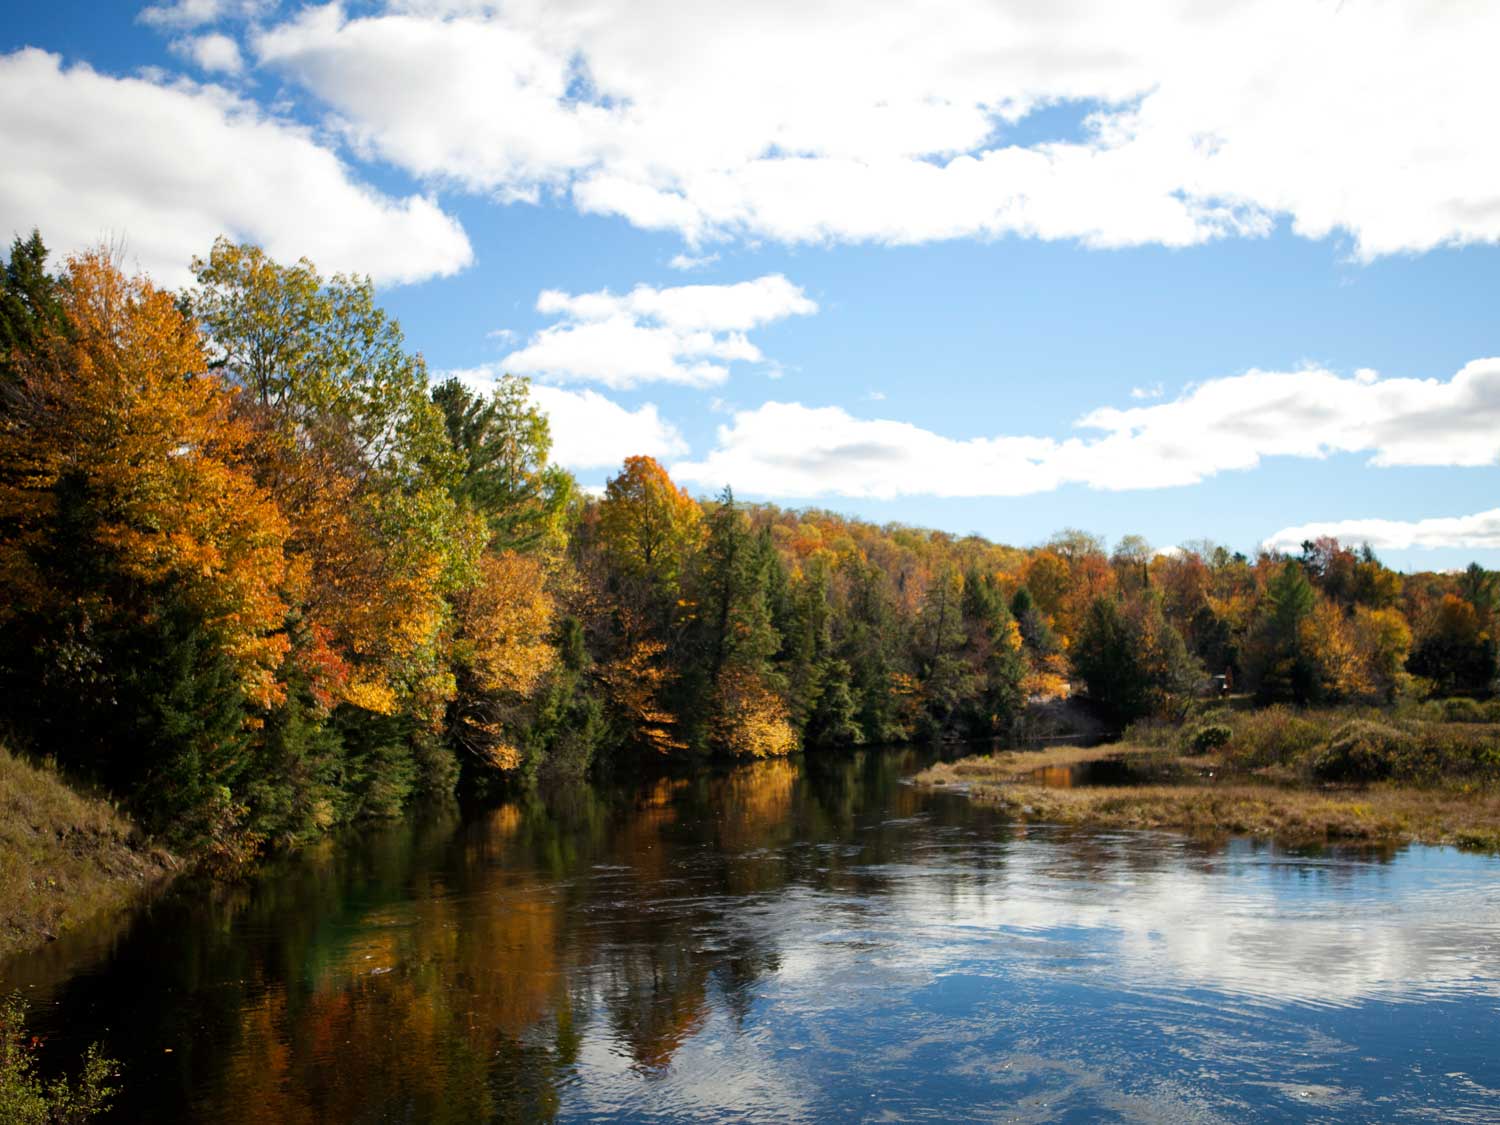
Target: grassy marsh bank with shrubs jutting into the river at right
x,y
1297,776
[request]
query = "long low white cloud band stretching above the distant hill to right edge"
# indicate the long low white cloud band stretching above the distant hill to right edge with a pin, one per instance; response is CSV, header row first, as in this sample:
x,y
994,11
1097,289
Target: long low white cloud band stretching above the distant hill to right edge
x,y
785,449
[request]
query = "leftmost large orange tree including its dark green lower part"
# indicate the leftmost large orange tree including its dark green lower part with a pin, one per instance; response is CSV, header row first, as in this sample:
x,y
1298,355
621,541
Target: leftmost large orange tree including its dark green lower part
x,y
143,569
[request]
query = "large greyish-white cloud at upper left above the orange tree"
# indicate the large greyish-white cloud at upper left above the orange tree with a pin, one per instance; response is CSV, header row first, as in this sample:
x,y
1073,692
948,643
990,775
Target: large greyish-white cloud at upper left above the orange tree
x,y
169,167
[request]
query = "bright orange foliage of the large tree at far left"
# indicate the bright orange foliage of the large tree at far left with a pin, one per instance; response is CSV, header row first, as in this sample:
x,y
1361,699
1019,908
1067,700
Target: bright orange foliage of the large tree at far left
x,y
119,445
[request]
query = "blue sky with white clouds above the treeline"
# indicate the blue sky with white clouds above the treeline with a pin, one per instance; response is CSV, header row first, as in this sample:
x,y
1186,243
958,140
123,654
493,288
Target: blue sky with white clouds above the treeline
x,y
1255,248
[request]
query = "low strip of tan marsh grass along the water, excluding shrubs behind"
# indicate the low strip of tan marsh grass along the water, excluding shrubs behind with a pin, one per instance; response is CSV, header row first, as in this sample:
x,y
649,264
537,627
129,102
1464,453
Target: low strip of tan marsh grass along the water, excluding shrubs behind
x,y
1208,796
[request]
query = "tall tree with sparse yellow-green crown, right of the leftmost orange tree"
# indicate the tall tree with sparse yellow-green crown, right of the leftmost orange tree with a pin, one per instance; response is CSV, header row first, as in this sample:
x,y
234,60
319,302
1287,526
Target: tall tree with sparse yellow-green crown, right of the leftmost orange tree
x,y
358,455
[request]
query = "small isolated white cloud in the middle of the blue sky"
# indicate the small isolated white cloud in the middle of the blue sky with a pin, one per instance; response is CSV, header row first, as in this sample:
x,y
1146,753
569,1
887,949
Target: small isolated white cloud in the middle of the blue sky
x,y
686,334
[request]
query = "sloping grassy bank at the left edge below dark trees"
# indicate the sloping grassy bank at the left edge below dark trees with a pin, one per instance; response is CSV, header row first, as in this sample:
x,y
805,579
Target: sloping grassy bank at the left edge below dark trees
x,y
64,857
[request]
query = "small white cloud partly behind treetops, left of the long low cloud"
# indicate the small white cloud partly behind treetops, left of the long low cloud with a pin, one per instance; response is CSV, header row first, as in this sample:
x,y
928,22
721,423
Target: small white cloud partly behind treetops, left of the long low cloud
x,y
589,430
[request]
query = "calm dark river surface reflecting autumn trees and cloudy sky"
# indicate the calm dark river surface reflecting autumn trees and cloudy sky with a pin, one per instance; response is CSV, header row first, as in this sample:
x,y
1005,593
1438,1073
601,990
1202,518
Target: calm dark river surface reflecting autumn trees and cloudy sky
x,y
790,943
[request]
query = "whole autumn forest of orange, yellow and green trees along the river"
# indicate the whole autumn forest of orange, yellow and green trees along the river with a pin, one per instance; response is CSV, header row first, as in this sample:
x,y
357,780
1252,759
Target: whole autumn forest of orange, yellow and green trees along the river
x,y
262,577
